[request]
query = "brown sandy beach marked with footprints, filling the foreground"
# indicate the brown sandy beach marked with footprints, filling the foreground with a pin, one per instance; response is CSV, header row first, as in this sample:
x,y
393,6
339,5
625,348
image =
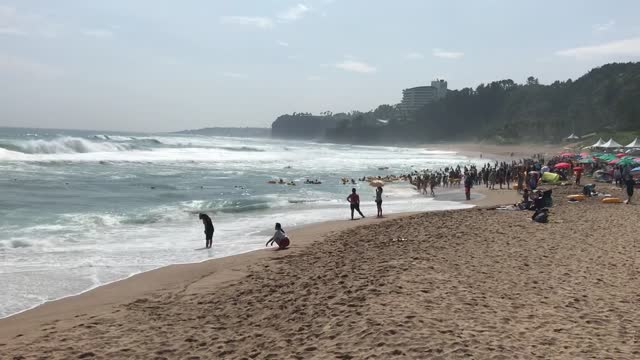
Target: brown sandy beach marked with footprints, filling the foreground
x,y
478,283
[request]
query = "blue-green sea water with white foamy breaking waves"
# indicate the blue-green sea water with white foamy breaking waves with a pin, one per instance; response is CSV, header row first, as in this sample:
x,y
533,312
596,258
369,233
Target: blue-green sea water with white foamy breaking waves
x,y
80,209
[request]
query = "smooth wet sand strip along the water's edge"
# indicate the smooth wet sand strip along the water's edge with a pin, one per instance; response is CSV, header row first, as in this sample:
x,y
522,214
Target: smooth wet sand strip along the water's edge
x,y
226,269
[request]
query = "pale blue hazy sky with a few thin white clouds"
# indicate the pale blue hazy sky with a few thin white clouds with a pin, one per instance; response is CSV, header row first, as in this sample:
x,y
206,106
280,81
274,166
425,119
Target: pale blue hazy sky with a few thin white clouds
x,y
160,65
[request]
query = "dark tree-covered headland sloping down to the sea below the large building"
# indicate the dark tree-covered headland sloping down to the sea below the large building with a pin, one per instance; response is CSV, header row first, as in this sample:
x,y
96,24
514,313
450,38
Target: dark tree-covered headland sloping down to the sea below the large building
x,y
607,98
